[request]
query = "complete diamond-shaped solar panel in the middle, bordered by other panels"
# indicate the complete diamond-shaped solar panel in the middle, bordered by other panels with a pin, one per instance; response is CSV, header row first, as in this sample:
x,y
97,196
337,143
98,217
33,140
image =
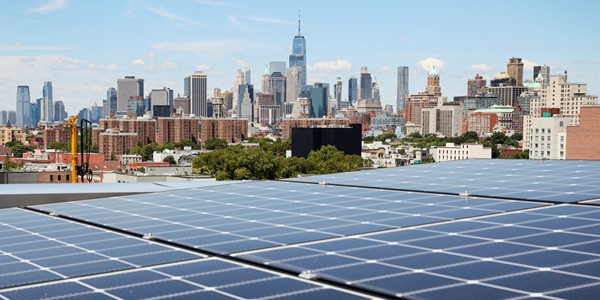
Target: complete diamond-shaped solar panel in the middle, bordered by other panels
x,y
257,215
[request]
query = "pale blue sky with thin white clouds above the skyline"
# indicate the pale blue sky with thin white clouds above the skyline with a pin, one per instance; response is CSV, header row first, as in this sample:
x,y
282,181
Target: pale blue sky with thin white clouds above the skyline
x,y
84,46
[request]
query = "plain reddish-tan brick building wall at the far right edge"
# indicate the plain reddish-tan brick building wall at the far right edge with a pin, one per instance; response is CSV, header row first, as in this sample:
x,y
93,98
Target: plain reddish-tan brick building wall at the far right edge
x,y
582,140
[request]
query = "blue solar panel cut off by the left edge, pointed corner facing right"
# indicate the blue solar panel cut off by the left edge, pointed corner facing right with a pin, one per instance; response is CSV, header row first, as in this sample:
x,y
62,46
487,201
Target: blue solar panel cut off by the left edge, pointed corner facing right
x,y
37,248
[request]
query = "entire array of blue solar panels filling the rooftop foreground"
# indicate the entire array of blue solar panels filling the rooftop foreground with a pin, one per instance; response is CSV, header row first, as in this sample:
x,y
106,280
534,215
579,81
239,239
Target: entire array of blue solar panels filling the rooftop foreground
x,y
349,238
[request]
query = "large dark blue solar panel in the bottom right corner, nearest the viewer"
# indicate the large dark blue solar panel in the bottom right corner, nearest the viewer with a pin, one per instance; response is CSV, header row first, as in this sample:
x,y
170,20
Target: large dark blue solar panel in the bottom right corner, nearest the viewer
x,y
545,252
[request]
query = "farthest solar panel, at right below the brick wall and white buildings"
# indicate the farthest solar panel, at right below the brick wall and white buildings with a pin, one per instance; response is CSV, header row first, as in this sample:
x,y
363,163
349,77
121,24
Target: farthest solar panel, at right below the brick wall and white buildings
x,y
555,181
